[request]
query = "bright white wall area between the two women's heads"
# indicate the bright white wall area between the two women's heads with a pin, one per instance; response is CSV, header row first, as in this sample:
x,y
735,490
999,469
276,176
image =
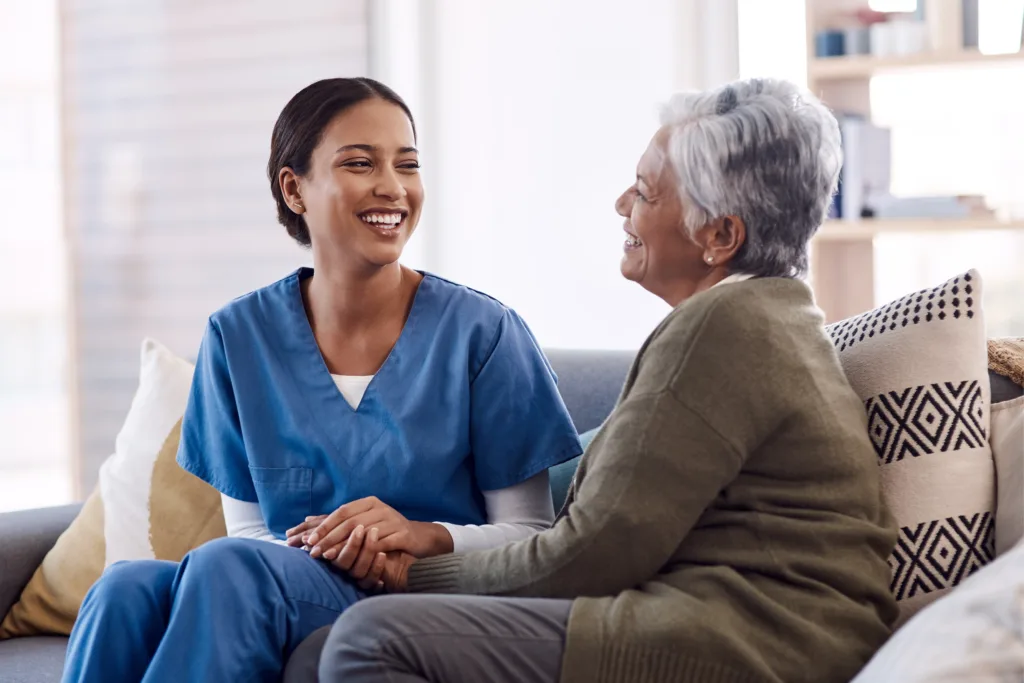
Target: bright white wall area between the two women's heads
x,y
533,117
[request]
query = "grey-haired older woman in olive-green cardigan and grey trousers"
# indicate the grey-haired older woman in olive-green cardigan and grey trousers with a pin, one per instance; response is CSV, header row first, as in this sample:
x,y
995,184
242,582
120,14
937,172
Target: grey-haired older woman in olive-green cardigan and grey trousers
x,y
727,524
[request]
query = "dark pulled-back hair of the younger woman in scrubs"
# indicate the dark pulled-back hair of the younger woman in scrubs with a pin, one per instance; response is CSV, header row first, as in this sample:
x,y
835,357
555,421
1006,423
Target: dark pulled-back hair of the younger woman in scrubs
x,y
302,126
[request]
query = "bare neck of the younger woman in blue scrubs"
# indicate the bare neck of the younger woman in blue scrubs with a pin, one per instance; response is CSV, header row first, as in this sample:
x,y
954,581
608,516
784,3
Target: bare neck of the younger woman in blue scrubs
x,y
352,300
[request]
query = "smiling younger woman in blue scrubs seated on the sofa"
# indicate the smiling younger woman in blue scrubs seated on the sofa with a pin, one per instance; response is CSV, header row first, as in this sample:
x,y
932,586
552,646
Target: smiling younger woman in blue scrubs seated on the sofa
x,y
356,408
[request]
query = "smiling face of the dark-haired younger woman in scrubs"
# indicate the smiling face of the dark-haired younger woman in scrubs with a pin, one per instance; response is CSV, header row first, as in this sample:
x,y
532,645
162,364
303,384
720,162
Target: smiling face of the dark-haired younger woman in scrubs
x,y
363,195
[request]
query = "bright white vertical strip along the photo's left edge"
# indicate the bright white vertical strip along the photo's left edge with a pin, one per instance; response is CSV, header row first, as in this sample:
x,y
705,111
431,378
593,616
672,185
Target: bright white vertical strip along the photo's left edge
x,y
35,417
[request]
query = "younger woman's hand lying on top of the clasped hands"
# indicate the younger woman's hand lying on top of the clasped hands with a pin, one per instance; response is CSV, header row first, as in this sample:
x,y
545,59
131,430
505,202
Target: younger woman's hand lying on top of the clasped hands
x,y
396,533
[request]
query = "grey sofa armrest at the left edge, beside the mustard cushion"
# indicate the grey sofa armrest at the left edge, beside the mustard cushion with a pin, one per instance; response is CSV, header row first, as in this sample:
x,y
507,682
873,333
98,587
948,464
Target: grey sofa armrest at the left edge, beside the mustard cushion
x,y
26,537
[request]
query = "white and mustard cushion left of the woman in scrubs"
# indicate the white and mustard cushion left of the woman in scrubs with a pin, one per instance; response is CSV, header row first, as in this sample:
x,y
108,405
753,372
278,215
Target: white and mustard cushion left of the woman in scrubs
x,y
145,507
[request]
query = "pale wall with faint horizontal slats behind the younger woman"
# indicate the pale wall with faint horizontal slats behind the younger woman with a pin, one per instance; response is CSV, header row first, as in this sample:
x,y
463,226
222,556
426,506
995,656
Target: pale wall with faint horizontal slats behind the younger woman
x,y
168,109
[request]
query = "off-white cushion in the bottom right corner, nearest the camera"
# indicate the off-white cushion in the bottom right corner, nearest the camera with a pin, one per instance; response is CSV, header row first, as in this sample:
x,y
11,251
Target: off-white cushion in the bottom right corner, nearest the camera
x,y
975,635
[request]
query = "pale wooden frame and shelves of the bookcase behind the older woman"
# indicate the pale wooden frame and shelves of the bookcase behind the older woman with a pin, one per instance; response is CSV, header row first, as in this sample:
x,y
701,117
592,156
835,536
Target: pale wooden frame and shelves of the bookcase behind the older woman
x,y
843,251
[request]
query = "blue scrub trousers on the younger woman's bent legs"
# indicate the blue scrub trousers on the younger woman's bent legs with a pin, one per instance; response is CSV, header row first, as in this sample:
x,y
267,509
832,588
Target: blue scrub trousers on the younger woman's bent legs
x,y
233,610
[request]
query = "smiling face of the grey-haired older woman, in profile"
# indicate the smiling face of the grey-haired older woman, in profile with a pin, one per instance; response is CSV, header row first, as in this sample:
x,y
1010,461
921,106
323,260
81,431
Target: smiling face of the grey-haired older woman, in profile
x,y
659,252
